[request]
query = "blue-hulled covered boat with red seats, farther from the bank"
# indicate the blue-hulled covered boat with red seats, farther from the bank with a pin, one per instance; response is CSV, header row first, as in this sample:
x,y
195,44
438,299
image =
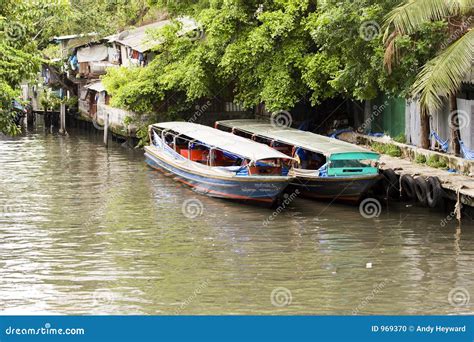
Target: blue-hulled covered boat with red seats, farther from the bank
x,y
218,164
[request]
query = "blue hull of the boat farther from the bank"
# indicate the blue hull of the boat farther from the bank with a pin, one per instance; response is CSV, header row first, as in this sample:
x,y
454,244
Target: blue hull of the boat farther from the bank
x,y
262,189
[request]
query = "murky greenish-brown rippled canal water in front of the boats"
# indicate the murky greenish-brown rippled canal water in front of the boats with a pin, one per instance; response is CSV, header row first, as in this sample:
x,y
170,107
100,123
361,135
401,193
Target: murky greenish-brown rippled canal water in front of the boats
x,y
92,230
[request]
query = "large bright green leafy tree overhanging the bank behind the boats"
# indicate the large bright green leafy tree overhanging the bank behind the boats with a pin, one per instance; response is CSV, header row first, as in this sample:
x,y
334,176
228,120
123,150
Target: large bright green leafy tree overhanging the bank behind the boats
x,y
274,52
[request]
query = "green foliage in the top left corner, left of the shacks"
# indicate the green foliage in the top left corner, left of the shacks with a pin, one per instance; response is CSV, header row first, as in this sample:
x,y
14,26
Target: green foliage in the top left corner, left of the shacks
x,y
27,28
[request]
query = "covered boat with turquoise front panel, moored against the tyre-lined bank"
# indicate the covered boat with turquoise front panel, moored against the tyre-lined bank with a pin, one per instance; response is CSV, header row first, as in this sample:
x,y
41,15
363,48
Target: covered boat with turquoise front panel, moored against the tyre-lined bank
x,y
326,168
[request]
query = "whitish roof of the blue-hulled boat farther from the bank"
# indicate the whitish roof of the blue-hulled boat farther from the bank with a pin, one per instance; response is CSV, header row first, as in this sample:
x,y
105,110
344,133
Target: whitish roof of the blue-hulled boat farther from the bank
x,y
228,142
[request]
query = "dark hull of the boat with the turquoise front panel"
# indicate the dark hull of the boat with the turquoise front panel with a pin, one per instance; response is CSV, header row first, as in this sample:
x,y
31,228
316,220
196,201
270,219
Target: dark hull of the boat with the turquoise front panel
x,y
347,189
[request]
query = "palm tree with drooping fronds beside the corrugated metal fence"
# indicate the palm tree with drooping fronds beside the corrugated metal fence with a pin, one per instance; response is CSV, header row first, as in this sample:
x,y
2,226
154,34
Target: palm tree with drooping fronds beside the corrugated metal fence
x,y
442,75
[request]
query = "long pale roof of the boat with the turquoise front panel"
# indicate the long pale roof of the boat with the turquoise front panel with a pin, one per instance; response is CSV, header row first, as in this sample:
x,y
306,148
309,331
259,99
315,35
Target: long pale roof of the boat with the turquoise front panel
x,y
291,136
